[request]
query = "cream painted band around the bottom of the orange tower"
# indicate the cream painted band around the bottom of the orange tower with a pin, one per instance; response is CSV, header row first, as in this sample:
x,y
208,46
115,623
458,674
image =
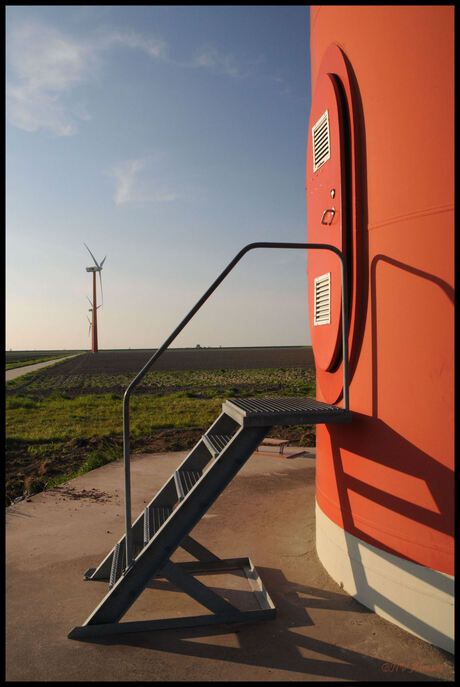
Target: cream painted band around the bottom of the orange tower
x,y
416,598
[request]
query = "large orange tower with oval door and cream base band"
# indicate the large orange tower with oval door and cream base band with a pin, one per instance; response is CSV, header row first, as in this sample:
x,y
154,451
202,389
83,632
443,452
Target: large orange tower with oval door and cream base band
x,y
380,187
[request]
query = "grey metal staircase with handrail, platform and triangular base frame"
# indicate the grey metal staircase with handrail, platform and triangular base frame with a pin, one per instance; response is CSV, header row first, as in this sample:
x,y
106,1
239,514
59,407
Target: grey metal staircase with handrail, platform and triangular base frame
x,y
145,549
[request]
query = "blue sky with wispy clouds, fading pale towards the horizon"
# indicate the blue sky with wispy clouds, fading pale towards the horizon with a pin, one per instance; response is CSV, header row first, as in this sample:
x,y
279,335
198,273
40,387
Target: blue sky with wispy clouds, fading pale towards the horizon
x,y
166,138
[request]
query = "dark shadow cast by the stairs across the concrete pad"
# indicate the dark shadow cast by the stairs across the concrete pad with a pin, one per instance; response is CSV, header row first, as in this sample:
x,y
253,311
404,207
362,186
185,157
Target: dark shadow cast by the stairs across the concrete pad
x,y
277,644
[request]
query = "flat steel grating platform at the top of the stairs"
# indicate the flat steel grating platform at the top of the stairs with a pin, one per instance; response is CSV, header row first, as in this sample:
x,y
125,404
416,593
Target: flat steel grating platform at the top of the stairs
x,y
262,412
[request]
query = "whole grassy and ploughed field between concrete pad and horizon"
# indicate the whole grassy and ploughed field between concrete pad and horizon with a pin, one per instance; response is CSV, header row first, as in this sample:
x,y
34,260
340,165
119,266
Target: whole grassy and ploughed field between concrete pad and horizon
x,y
66,419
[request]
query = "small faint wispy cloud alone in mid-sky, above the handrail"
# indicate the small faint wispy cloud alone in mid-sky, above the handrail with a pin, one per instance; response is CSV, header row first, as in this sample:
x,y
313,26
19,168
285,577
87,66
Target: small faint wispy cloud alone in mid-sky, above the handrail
x,y
144,180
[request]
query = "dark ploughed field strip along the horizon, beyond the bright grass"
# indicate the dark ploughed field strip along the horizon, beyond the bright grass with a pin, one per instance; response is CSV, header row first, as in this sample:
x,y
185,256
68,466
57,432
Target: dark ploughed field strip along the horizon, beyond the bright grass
x,y
176,370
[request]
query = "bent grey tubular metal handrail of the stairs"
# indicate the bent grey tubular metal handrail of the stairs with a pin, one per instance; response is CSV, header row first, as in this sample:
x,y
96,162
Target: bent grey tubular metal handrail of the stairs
x,y
179,328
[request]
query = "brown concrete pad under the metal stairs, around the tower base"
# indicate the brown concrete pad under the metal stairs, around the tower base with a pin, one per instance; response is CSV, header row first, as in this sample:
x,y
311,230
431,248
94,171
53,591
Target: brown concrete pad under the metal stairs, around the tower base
x,y
266,513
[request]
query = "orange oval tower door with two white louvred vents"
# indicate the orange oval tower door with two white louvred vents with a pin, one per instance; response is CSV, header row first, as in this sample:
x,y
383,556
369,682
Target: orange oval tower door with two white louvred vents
x,y
325,197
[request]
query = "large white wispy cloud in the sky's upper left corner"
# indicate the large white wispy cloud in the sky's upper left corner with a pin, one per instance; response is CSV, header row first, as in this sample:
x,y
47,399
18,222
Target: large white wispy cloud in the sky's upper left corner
x,y
46,67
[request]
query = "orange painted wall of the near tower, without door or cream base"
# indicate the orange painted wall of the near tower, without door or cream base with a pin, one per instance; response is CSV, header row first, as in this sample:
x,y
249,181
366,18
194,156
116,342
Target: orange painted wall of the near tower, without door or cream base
x,y
387,477
